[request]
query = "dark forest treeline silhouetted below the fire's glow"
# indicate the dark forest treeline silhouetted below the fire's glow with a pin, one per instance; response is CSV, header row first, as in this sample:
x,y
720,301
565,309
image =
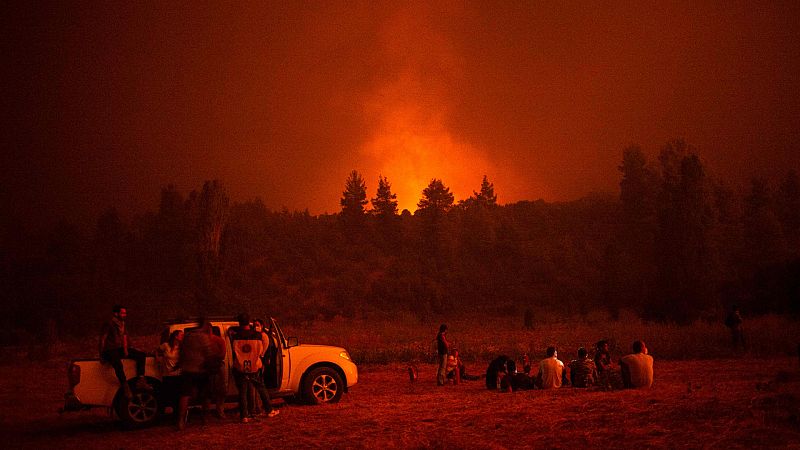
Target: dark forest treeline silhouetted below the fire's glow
x,y
676,245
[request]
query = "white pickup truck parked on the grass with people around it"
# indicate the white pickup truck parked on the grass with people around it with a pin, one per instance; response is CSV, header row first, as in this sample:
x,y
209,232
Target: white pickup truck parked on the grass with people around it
x,y
316,373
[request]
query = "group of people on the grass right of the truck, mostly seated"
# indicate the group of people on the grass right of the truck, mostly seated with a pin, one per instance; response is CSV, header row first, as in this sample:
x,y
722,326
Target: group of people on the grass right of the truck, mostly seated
x,y
634,370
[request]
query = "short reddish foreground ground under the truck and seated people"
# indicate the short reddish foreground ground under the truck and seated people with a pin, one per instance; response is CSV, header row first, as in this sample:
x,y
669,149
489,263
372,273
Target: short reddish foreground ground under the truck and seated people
x,y
743,403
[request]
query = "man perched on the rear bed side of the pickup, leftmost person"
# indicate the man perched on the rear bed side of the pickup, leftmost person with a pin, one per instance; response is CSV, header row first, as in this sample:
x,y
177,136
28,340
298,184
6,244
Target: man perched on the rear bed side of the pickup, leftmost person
x,y
114,347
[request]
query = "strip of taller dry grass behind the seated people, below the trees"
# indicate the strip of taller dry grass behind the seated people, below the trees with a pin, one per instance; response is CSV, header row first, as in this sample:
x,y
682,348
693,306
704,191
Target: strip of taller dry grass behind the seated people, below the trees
x,y
406,339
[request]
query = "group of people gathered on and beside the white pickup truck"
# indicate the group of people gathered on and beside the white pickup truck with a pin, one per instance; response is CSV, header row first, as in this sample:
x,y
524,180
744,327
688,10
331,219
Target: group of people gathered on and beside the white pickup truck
x,y
192,365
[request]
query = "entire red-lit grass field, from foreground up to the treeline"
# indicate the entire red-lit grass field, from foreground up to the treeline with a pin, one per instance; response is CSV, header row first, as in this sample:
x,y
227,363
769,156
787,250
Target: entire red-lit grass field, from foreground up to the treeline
x,y
747,401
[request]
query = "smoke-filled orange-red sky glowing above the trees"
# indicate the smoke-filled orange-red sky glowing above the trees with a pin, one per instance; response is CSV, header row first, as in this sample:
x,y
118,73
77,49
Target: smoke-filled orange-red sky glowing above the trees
x,y
105,103
